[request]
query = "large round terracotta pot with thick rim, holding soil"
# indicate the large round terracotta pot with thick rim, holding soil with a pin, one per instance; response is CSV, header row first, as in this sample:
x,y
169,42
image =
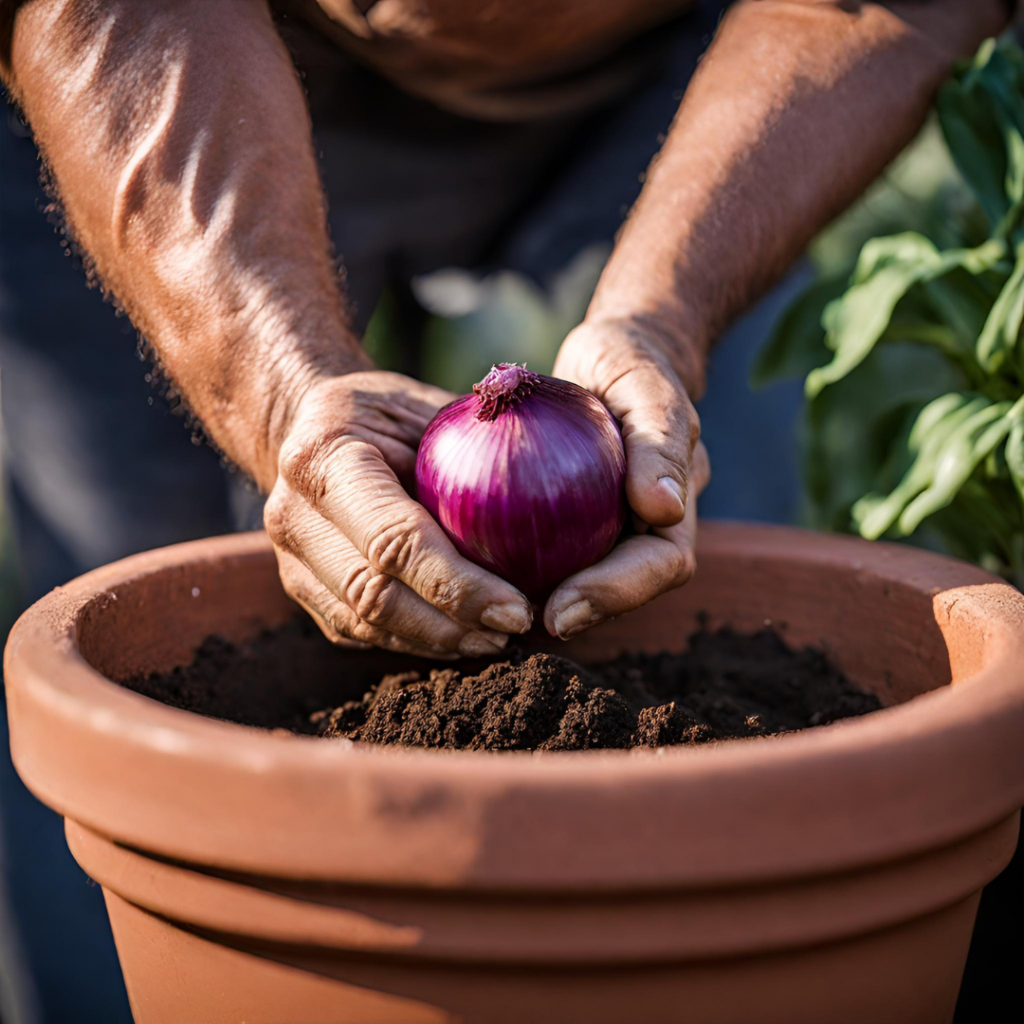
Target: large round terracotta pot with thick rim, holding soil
x,y
825,876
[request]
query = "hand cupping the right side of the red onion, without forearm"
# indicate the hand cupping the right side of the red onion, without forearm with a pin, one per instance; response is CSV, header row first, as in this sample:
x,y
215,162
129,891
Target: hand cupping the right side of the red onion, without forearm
x,y
666,468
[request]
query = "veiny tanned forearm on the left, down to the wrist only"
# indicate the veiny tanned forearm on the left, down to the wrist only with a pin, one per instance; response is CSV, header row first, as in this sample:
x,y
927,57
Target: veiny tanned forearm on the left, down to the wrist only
x,y
179,137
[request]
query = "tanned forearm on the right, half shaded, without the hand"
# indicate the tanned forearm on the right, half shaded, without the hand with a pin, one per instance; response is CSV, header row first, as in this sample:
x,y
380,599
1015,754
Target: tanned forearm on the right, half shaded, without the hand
x,y
796,109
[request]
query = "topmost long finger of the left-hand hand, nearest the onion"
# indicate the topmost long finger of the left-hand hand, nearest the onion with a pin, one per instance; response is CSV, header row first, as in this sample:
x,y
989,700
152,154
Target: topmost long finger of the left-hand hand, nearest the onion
x,y
350,484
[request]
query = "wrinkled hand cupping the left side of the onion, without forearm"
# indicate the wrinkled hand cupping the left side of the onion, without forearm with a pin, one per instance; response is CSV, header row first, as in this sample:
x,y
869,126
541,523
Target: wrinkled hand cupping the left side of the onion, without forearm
x,y
369,564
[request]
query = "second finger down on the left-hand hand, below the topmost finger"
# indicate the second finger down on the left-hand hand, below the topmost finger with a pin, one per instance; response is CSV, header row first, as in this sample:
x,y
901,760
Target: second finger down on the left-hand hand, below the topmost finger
x,y
375,599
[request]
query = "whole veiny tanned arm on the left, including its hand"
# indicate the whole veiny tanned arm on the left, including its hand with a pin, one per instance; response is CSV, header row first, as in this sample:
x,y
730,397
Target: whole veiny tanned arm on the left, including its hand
x,y
180,139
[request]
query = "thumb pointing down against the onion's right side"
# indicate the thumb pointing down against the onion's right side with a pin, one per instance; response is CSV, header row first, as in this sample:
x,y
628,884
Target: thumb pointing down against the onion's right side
x,y
660,431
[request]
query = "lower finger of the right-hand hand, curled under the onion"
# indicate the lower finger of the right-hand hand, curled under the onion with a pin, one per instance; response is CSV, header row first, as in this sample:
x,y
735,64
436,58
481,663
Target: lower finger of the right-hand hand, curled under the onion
x,y
637,570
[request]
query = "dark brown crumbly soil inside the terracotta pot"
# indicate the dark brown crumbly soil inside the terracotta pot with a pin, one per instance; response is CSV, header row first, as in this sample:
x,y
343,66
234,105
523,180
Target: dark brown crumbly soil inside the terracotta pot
x,y
724,686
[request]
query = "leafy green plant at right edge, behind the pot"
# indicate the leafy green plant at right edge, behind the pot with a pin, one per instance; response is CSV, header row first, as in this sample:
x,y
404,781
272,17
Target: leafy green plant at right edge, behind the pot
x,y
915,366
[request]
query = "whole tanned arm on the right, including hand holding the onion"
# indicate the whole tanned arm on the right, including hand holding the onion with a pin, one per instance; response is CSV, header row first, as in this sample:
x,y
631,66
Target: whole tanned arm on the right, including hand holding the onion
x,y
797,107
